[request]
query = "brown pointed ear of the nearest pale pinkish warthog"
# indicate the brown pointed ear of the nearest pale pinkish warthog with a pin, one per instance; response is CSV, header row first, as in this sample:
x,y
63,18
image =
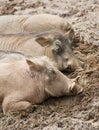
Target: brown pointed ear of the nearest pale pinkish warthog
x,y
34,66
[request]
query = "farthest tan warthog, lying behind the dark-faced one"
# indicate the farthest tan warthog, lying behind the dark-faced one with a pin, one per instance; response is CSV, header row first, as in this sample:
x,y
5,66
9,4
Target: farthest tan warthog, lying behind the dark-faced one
x,y
12,24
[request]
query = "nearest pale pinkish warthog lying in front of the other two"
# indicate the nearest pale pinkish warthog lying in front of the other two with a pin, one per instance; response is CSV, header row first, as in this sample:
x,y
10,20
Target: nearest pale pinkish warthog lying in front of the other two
x,y
30,81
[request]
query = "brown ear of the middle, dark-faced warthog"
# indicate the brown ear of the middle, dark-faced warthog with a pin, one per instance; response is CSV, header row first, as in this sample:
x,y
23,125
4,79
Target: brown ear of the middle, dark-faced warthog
x,y
44,41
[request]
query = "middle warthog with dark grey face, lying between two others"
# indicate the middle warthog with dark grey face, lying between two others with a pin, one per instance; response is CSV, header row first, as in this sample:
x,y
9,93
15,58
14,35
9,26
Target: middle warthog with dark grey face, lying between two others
x,y
51,43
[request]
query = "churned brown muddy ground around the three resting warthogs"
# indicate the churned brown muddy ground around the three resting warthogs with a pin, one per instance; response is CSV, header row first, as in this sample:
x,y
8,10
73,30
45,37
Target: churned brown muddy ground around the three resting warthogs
x,y
66,113
